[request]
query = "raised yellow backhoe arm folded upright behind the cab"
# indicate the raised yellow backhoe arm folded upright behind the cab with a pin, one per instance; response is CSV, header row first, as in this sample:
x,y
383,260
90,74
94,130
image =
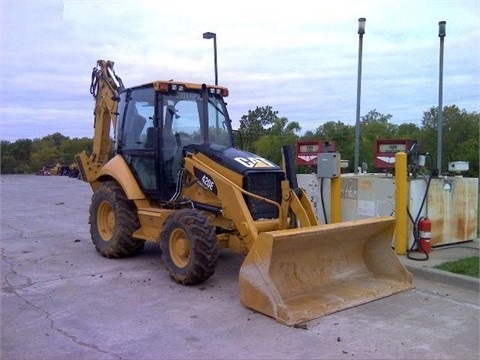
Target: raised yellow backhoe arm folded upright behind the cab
x,y
105,87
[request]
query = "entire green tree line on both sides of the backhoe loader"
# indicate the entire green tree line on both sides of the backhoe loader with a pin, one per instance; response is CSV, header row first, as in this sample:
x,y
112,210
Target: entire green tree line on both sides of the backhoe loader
x,y
263,132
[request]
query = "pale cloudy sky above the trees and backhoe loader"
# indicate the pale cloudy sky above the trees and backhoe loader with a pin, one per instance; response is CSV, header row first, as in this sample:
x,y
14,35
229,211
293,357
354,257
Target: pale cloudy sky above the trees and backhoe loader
x,y
300,59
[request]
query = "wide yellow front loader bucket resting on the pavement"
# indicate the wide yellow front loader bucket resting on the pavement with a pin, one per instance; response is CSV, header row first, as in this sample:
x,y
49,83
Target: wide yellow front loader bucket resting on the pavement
x,y
298,275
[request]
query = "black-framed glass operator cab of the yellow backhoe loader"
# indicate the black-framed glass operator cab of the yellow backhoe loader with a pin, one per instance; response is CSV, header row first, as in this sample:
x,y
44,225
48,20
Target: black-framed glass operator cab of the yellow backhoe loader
x,y
156,121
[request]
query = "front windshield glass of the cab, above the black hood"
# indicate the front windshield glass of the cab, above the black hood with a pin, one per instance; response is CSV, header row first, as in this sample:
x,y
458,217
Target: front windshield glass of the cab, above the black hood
x,y
182,119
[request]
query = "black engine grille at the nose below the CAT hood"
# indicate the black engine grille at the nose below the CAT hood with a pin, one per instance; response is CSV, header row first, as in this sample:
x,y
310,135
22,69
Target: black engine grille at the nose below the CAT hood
x,y
267,185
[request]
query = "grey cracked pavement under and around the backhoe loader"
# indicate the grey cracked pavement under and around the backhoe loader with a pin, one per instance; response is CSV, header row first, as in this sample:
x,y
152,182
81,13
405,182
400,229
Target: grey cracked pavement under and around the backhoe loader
x,y
61,300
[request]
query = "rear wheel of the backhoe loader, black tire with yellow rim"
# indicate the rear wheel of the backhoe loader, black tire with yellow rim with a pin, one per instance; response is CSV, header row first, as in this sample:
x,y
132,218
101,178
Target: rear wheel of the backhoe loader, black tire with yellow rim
x,y
113,219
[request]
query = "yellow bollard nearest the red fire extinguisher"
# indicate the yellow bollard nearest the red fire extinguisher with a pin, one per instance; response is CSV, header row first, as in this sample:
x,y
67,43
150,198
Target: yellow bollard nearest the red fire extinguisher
x,y
401,203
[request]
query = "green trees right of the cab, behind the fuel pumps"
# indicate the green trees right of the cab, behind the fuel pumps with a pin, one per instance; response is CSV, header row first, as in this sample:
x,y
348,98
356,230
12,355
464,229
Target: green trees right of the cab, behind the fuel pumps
x,y
263,132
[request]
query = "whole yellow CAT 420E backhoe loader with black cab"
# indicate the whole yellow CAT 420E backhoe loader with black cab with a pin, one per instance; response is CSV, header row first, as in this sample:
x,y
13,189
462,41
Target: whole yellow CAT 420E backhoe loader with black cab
x,y
175,178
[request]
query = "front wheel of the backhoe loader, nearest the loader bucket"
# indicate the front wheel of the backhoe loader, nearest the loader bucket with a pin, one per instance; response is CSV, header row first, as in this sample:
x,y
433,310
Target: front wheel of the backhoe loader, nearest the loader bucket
x,y
189,247
